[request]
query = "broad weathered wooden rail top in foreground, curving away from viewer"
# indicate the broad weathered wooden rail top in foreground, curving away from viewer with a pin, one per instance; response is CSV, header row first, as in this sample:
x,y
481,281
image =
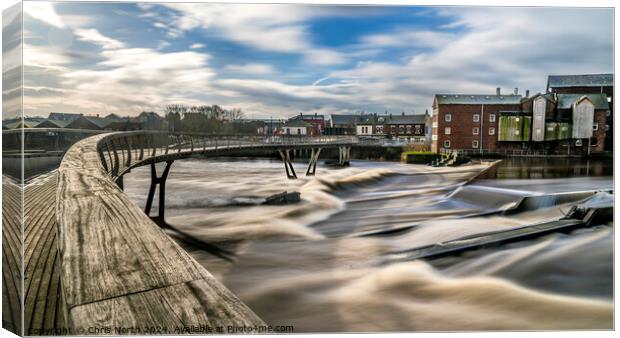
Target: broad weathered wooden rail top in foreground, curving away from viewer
x,y
120,271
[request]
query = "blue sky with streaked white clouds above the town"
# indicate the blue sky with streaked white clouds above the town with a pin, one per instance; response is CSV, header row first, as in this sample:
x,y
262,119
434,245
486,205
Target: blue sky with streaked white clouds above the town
x,y
279,60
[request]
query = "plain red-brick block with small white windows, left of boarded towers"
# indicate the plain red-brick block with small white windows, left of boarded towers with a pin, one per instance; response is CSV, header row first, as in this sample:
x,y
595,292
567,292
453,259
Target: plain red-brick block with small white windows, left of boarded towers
x,y
470,122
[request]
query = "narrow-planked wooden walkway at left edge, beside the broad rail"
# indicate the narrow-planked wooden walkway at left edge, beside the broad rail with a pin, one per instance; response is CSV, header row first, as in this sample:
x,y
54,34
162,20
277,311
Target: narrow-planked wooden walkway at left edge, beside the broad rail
x,y
43,305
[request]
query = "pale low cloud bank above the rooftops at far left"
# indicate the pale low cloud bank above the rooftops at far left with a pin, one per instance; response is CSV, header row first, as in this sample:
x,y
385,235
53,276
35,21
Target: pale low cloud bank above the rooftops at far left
x,y
125,80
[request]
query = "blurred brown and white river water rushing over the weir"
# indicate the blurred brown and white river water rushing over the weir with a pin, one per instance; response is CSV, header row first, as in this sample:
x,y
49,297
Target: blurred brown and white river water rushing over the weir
x,y
319,265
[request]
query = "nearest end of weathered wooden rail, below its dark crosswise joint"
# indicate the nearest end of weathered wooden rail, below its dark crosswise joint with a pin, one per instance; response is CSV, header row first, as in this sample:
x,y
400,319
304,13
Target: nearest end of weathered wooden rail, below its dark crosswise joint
x,y
173,308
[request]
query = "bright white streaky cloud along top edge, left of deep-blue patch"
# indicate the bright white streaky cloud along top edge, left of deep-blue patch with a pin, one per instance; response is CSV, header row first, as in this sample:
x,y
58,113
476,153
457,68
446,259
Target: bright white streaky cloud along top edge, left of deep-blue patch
x,y
263,27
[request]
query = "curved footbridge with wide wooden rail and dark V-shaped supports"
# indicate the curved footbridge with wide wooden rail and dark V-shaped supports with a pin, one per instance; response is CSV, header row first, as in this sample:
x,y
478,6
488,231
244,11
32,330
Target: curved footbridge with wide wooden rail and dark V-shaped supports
x,y
118,269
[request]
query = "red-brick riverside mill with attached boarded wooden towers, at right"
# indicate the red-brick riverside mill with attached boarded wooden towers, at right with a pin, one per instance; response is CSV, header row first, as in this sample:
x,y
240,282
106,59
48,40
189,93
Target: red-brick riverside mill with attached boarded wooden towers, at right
x,y
574,123
